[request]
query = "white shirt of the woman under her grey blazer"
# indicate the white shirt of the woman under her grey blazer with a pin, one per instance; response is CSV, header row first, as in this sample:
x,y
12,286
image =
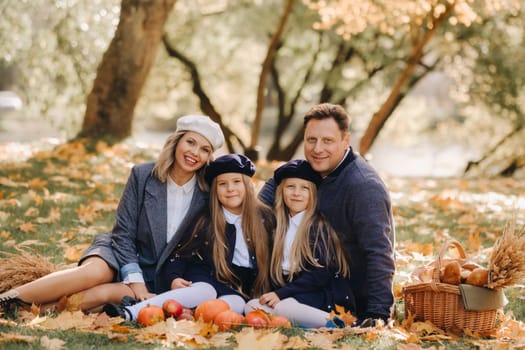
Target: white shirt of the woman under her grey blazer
x,y
179,200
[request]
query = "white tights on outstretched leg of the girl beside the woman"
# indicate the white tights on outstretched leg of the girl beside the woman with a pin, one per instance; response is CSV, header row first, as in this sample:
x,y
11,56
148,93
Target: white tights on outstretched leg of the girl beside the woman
x,y
189,297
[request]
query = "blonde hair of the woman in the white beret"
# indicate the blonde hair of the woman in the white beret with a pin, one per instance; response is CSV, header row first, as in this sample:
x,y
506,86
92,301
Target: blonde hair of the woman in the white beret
x,y
166,161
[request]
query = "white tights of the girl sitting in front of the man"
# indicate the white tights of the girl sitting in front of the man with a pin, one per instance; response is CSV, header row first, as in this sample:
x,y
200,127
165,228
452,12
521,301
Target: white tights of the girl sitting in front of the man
x,y
300,314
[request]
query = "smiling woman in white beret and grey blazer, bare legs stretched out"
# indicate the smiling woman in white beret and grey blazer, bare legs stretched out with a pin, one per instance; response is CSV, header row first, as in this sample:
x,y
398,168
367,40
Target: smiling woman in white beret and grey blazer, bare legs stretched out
x,y
159,201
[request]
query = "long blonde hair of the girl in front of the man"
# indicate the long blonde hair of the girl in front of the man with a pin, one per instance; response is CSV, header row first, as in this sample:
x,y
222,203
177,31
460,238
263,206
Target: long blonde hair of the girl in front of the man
x,y
302,254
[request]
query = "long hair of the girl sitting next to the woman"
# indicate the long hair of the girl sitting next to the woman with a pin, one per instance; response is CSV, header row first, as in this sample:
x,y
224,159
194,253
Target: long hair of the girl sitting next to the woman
x,y
255,233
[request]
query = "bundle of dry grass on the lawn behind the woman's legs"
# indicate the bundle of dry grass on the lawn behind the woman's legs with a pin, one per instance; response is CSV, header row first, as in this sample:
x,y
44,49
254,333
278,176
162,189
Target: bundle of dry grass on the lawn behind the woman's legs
x,y
17,269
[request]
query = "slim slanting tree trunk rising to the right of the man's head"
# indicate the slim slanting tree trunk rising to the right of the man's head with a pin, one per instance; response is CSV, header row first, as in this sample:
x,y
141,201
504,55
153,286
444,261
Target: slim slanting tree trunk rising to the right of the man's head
x,y
380,117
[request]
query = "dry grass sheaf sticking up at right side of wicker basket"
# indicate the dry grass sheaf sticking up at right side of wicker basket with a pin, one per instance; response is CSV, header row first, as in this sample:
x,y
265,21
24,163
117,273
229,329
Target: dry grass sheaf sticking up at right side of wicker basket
x,y
507,261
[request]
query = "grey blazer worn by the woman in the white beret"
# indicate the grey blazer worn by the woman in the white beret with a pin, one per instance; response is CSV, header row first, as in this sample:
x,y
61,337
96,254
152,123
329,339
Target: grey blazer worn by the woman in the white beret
x,y
139,234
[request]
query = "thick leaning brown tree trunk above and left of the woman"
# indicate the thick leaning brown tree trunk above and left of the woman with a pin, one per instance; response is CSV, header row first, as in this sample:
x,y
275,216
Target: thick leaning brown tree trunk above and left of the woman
x,y
124,68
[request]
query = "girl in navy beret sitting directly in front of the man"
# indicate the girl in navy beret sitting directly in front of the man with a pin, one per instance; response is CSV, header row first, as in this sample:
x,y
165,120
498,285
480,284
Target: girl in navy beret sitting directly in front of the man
x,y
307,265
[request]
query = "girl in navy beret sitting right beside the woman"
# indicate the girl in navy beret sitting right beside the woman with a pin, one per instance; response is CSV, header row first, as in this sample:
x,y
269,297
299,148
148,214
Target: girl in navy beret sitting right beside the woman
x,y
226,255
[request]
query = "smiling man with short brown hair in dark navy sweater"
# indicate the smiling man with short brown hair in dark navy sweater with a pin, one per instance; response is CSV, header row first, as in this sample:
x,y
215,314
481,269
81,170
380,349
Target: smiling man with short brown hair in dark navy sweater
x,y
356,202
